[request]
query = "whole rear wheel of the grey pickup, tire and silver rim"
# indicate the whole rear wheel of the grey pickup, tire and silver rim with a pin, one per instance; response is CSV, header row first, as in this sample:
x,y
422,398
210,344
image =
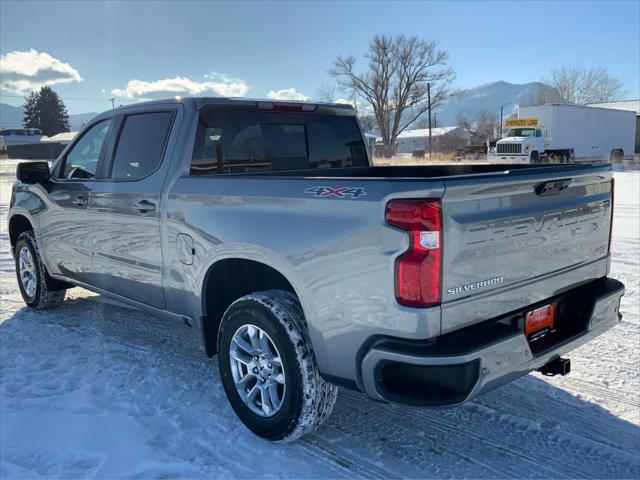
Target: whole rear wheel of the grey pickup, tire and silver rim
x,y
268,369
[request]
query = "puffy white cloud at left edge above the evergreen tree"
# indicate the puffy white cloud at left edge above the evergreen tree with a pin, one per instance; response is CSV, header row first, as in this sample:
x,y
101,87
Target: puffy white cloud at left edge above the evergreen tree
x,y
23,71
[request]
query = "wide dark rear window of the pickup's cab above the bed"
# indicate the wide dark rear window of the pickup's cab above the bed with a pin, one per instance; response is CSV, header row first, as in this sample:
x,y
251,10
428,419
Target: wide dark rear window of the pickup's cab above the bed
x,y
242,141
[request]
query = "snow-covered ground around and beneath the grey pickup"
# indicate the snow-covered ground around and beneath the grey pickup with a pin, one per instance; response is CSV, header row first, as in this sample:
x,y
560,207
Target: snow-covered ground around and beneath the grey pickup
x,y
94,389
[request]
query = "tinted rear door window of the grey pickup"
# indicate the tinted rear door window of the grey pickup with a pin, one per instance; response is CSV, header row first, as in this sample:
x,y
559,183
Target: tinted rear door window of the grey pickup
x,y
141,145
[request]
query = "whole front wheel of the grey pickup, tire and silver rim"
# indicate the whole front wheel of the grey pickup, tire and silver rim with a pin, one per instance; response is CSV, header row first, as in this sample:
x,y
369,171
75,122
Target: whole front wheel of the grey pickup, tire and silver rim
x,y
31,274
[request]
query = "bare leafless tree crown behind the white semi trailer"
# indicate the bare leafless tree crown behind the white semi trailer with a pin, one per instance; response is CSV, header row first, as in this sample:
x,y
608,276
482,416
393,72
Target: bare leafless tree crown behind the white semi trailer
x,y
581,86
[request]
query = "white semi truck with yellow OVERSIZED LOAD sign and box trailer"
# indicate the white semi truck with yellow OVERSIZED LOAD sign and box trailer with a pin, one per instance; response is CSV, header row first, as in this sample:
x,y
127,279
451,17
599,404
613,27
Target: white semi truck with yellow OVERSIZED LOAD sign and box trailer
x,y
565,133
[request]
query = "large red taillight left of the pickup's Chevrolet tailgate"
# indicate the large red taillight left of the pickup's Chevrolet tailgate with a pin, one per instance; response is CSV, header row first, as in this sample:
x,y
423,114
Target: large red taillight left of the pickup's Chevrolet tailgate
x,y
418,270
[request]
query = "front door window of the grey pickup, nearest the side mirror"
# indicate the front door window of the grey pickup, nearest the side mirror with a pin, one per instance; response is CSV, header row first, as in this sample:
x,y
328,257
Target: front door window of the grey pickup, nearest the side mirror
x,y
82,161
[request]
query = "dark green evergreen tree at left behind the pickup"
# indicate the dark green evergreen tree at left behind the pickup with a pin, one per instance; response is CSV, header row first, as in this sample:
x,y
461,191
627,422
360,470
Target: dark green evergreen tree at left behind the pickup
x,y
45,110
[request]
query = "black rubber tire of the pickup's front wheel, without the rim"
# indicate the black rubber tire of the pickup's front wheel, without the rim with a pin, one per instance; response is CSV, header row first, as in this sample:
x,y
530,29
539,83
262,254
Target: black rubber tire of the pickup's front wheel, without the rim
x,y
41,298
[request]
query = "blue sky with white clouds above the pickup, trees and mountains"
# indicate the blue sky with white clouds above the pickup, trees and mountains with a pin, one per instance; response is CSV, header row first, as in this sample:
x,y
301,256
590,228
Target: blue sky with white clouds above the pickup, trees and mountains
x,y
257,49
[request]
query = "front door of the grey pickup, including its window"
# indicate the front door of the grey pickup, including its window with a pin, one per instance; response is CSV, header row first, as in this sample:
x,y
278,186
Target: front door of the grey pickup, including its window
x,y
66,226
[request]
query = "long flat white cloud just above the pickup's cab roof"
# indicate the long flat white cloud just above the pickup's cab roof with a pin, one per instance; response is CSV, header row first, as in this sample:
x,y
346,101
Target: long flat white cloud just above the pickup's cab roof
x,y
220,86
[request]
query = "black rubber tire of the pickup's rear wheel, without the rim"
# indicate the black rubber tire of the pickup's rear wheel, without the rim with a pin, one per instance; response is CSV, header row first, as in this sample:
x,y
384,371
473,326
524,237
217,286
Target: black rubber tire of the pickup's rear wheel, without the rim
x,y
307,399
